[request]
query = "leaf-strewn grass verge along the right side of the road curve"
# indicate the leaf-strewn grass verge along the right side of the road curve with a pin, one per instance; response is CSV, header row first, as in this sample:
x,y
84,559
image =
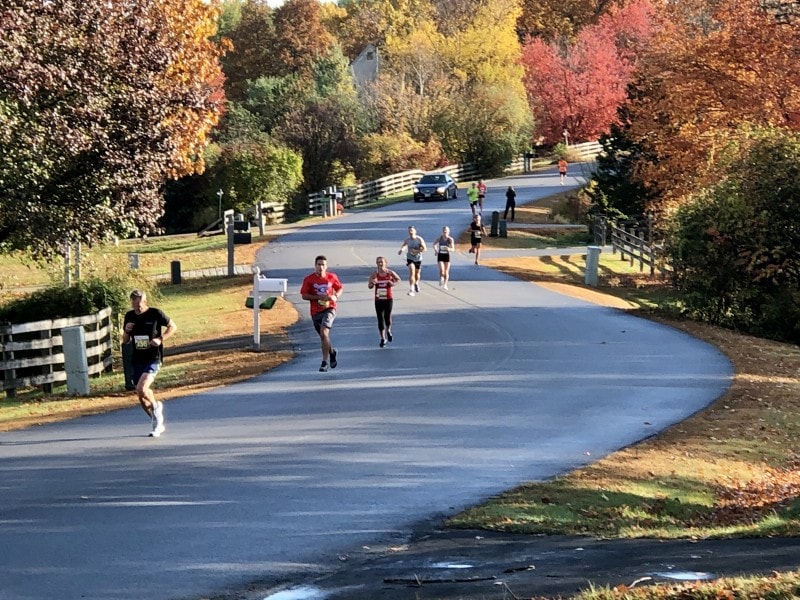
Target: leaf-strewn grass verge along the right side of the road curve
x,y
731,470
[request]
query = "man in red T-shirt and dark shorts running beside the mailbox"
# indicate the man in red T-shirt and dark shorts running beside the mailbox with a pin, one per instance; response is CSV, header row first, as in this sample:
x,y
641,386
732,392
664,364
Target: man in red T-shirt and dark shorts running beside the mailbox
x,y
322,289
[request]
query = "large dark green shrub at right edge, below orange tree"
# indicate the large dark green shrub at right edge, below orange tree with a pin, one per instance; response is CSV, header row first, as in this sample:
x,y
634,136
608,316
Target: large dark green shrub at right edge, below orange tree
x,y
736,246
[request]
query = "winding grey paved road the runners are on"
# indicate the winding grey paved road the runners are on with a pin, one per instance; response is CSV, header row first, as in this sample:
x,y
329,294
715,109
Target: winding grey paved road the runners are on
x,y
487,385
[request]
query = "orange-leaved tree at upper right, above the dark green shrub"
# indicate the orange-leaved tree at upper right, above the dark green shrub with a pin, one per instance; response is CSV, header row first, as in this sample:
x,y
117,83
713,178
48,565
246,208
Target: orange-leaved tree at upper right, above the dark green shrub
x,y
708,72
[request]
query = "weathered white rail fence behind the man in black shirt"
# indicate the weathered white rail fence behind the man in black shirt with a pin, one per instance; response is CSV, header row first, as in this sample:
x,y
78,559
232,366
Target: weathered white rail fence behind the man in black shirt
x,y
33,355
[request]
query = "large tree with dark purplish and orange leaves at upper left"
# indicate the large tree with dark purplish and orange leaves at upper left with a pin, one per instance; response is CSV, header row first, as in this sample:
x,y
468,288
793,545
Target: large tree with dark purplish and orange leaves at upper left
x,y
100,103
